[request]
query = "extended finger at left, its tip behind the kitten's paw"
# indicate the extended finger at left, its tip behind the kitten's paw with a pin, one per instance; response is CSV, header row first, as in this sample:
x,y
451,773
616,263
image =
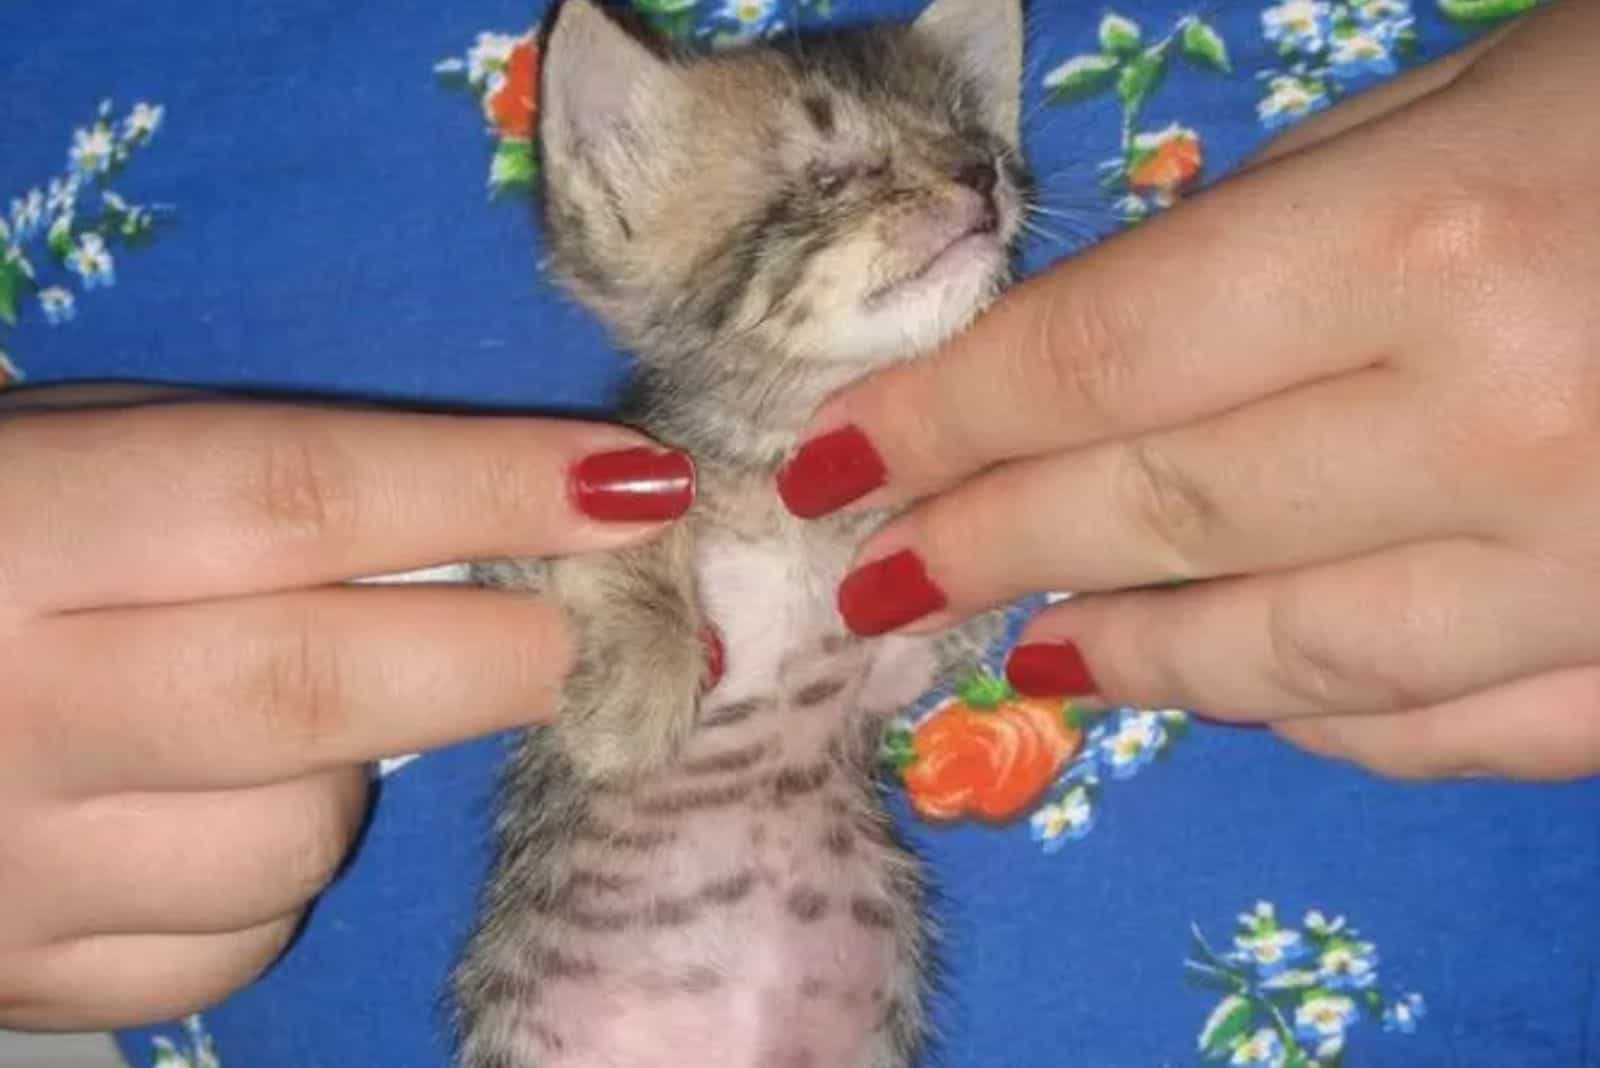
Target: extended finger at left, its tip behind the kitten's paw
x,y
242,693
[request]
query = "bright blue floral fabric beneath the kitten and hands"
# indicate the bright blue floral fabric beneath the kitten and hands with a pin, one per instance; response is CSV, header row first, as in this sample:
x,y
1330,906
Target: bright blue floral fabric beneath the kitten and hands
x,y
319,223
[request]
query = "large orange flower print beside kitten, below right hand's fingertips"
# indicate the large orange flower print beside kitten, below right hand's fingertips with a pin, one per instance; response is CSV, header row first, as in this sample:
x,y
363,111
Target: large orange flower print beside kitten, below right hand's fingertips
x,y
986,755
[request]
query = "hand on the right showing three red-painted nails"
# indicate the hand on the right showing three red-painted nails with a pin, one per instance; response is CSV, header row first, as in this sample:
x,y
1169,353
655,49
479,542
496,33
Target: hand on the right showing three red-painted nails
x,y
1351,397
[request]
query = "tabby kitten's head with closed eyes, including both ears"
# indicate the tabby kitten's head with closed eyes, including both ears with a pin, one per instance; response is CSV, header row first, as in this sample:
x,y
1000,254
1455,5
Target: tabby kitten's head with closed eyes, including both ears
x,y
846,197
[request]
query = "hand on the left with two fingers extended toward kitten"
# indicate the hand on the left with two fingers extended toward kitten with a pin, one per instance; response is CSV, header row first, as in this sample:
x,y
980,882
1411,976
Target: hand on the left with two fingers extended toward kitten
x,y
191,693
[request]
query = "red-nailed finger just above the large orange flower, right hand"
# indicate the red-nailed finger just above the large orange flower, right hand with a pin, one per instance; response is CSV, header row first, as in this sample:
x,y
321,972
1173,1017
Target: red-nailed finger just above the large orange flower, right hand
x,y
1402,629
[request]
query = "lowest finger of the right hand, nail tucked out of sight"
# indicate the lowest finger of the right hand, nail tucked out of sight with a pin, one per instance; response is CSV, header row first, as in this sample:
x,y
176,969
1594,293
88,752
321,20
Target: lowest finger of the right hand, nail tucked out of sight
x,y
1543,728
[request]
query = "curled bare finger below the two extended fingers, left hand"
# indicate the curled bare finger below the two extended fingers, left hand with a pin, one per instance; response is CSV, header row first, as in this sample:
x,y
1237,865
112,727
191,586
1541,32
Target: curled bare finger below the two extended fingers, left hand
x,y
186,863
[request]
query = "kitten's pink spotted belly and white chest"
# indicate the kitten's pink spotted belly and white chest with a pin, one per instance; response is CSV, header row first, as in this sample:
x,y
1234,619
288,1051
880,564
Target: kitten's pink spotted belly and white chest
x,y
761,917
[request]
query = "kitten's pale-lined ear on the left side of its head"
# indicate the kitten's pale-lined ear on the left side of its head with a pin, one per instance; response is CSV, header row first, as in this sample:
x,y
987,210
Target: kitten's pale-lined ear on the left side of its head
x,y
599,79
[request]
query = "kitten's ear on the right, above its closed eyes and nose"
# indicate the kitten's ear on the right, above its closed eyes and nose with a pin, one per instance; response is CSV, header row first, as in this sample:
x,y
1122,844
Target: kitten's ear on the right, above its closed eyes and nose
x,y
985,38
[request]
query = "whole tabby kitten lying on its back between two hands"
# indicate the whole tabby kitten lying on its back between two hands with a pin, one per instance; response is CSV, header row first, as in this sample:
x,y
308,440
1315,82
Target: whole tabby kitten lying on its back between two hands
x,y
710,882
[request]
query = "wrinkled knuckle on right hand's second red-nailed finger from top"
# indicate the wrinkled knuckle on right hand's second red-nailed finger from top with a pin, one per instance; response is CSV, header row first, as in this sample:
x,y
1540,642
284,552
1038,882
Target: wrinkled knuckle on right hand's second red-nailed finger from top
x,y
1169,506
